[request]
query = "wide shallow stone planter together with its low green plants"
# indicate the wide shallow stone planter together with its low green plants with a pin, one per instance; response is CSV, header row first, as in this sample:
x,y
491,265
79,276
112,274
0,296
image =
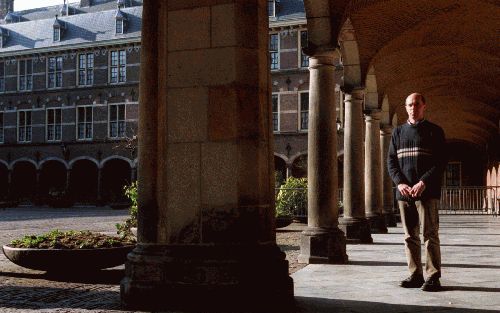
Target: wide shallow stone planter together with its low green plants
x,y
68,251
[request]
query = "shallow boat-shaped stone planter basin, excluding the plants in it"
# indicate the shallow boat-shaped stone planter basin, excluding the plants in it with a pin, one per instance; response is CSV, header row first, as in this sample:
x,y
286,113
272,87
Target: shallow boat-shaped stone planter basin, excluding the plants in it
x,y
67,260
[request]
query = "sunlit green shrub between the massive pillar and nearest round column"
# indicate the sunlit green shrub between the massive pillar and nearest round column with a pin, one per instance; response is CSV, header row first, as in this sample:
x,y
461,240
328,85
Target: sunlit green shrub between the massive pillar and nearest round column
x,y
292,197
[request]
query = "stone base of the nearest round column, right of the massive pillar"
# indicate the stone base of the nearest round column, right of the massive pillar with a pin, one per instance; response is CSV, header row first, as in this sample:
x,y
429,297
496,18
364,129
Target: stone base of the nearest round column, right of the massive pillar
x,y
323,245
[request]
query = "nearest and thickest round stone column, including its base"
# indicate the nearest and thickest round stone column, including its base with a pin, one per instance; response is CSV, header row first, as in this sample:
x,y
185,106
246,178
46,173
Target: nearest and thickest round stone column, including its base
x,y
322,241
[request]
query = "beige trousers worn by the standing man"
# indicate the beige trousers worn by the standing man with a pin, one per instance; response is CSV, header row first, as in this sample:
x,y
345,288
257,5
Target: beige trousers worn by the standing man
x,y
425,213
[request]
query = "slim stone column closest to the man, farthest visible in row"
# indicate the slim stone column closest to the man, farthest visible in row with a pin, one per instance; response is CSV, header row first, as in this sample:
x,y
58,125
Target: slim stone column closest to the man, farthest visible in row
x,y
387,191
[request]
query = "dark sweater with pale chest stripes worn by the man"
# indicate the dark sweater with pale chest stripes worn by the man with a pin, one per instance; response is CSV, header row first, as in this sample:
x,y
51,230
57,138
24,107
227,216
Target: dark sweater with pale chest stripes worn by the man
x,y
418,153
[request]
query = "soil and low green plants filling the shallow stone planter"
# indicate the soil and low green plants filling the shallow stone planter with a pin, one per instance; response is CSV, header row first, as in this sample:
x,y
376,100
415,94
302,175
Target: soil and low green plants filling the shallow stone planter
x,y
71,240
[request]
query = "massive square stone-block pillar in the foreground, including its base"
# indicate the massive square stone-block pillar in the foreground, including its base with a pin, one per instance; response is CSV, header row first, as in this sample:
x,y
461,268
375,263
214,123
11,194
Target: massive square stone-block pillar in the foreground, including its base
x,y
206,225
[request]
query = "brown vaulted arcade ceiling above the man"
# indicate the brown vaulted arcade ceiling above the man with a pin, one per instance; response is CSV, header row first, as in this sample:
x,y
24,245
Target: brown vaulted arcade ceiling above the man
x,y
448,50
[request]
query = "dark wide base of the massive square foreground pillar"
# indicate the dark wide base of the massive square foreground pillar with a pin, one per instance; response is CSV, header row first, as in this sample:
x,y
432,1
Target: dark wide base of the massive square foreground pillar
x,y
222,278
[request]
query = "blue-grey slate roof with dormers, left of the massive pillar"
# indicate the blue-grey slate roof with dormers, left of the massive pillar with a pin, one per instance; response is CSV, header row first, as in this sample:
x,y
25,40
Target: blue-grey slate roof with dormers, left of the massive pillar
x,y
80,29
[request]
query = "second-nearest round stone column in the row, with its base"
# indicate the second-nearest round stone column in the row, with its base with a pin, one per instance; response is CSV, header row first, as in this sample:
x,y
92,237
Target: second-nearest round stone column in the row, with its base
x,y
354,223
